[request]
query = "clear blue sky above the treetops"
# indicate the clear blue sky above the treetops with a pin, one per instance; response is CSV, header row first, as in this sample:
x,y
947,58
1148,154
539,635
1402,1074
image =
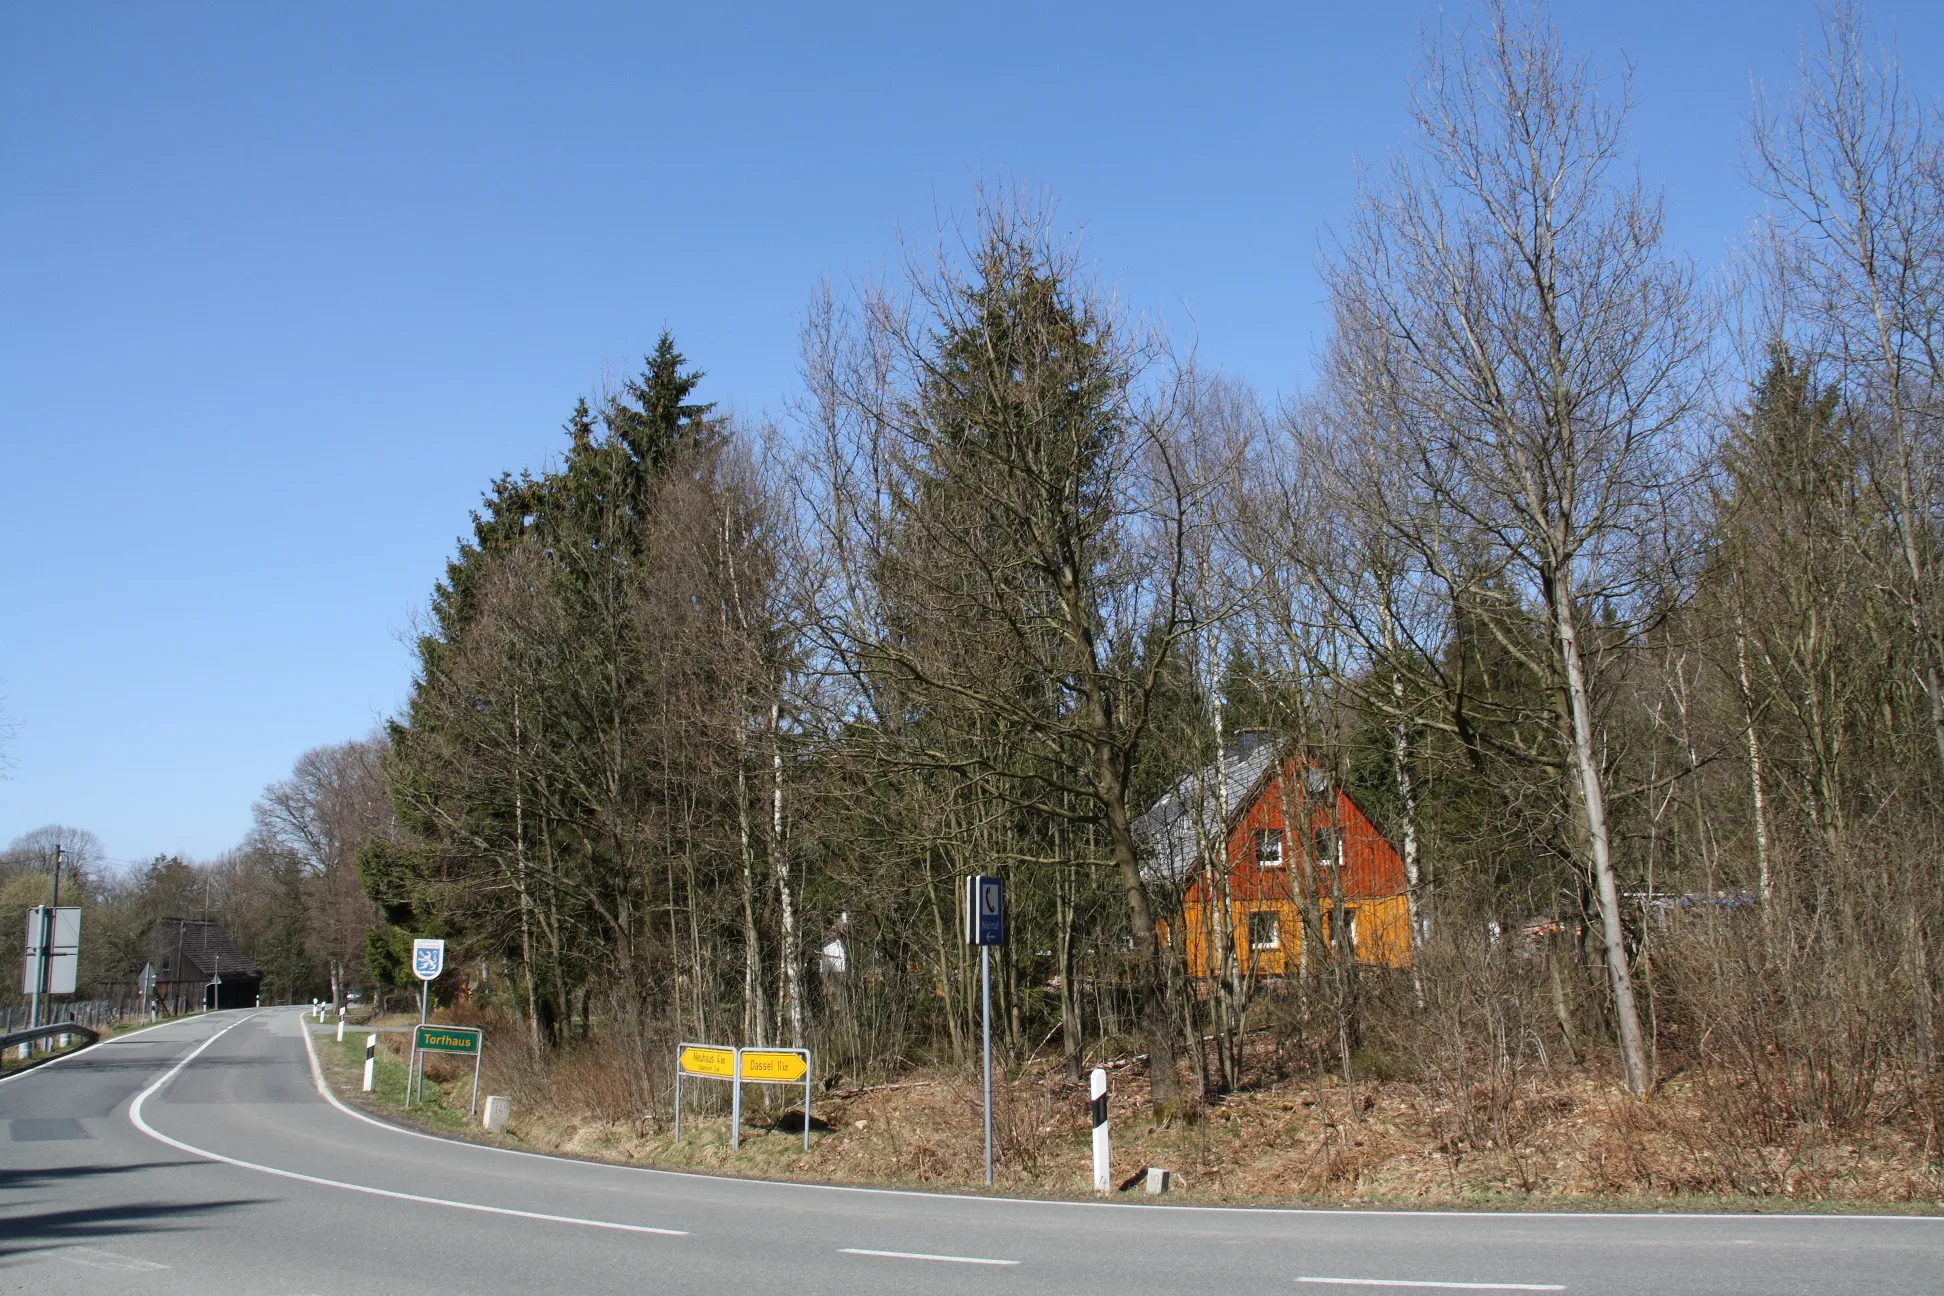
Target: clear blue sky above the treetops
x,y
285,287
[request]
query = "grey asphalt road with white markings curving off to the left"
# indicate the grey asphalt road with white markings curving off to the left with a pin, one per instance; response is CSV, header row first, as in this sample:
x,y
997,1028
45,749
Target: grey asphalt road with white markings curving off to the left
x,y
199,1157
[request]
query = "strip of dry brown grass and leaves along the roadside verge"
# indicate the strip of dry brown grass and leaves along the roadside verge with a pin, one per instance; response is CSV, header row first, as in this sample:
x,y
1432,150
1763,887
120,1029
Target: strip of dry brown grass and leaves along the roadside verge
x,y
1576,1140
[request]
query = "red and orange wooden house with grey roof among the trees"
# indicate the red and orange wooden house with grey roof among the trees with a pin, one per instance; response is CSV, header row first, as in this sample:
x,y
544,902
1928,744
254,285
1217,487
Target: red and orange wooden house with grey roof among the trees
x,y
1251,835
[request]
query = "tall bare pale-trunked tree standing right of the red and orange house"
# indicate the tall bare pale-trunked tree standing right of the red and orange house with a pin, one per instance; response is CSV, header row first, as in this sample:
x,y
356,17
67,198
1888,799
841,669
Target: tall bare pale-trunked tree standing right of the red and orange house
x,y
1508,298
